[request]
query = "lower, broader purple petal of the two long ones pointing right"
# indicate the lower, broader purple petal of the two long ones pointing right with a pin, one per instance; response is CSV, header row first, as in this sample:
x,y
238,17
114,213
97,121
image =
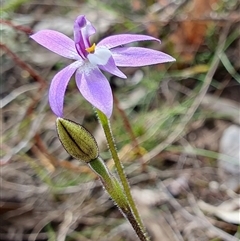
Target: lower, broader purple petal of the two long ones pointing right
x,y
137,56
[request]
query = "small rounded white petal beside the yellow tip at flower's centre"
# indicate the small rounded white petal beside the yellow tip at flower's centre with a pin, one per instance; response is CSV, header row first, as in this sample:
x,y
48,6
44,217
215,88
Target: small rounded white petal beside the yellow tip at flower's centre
x,y
100,56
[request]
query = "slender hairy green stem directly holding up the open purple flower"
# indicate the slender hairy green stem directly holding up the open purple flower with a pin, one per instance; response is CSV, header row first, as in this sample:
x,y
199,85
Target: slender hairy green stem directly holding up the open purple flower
x,y
112,147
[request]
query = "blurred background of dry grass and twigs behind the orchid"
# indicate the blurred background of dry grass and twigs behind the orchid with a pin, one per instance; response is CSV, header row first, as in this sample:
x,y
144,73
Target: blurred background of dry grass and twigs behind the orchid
x,y
176,125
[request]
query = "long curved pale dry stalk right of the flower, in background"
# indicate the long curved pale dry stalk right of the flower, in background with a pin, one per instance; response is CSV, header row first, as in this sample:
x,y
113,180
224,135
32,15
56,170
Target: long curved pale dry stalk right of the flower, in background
x,y
187,117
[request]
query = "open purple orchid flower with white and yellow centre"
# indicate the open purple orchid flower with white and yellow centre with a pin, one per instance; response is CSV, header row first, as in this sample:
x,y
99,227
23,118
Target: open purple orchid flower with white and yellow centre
x,y
91,59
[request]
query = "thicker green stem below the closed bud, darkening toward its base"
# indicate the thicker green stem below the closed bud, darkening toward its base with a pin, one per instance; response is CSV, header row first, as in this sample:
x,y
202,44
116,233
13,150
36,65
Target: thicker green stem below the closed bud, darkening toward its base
x,y
115,190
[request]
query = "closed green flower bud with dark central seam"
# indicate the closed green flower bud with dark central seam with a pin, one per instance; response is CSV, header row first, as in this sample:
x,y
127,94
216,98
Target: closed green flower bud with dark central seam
x,y
77,141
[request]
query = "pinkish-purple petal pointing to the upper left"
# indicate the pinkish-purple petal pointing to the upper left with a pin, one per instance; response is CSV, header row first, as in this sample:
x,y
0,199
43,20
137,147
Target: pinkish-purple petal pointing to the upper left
x,y
56,42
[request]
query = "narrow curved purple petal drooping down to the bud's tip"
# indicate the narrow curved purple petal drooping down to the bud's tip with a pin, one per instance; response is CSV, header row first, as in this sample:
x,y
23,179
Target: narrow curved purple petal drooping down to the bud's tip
x,y
58,88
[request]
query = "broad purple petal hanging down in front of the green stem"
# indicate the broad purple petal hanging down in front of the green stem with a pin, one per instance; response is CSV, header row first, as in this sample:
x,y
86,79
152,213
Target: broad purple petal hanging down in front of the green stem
x,y
96,89
